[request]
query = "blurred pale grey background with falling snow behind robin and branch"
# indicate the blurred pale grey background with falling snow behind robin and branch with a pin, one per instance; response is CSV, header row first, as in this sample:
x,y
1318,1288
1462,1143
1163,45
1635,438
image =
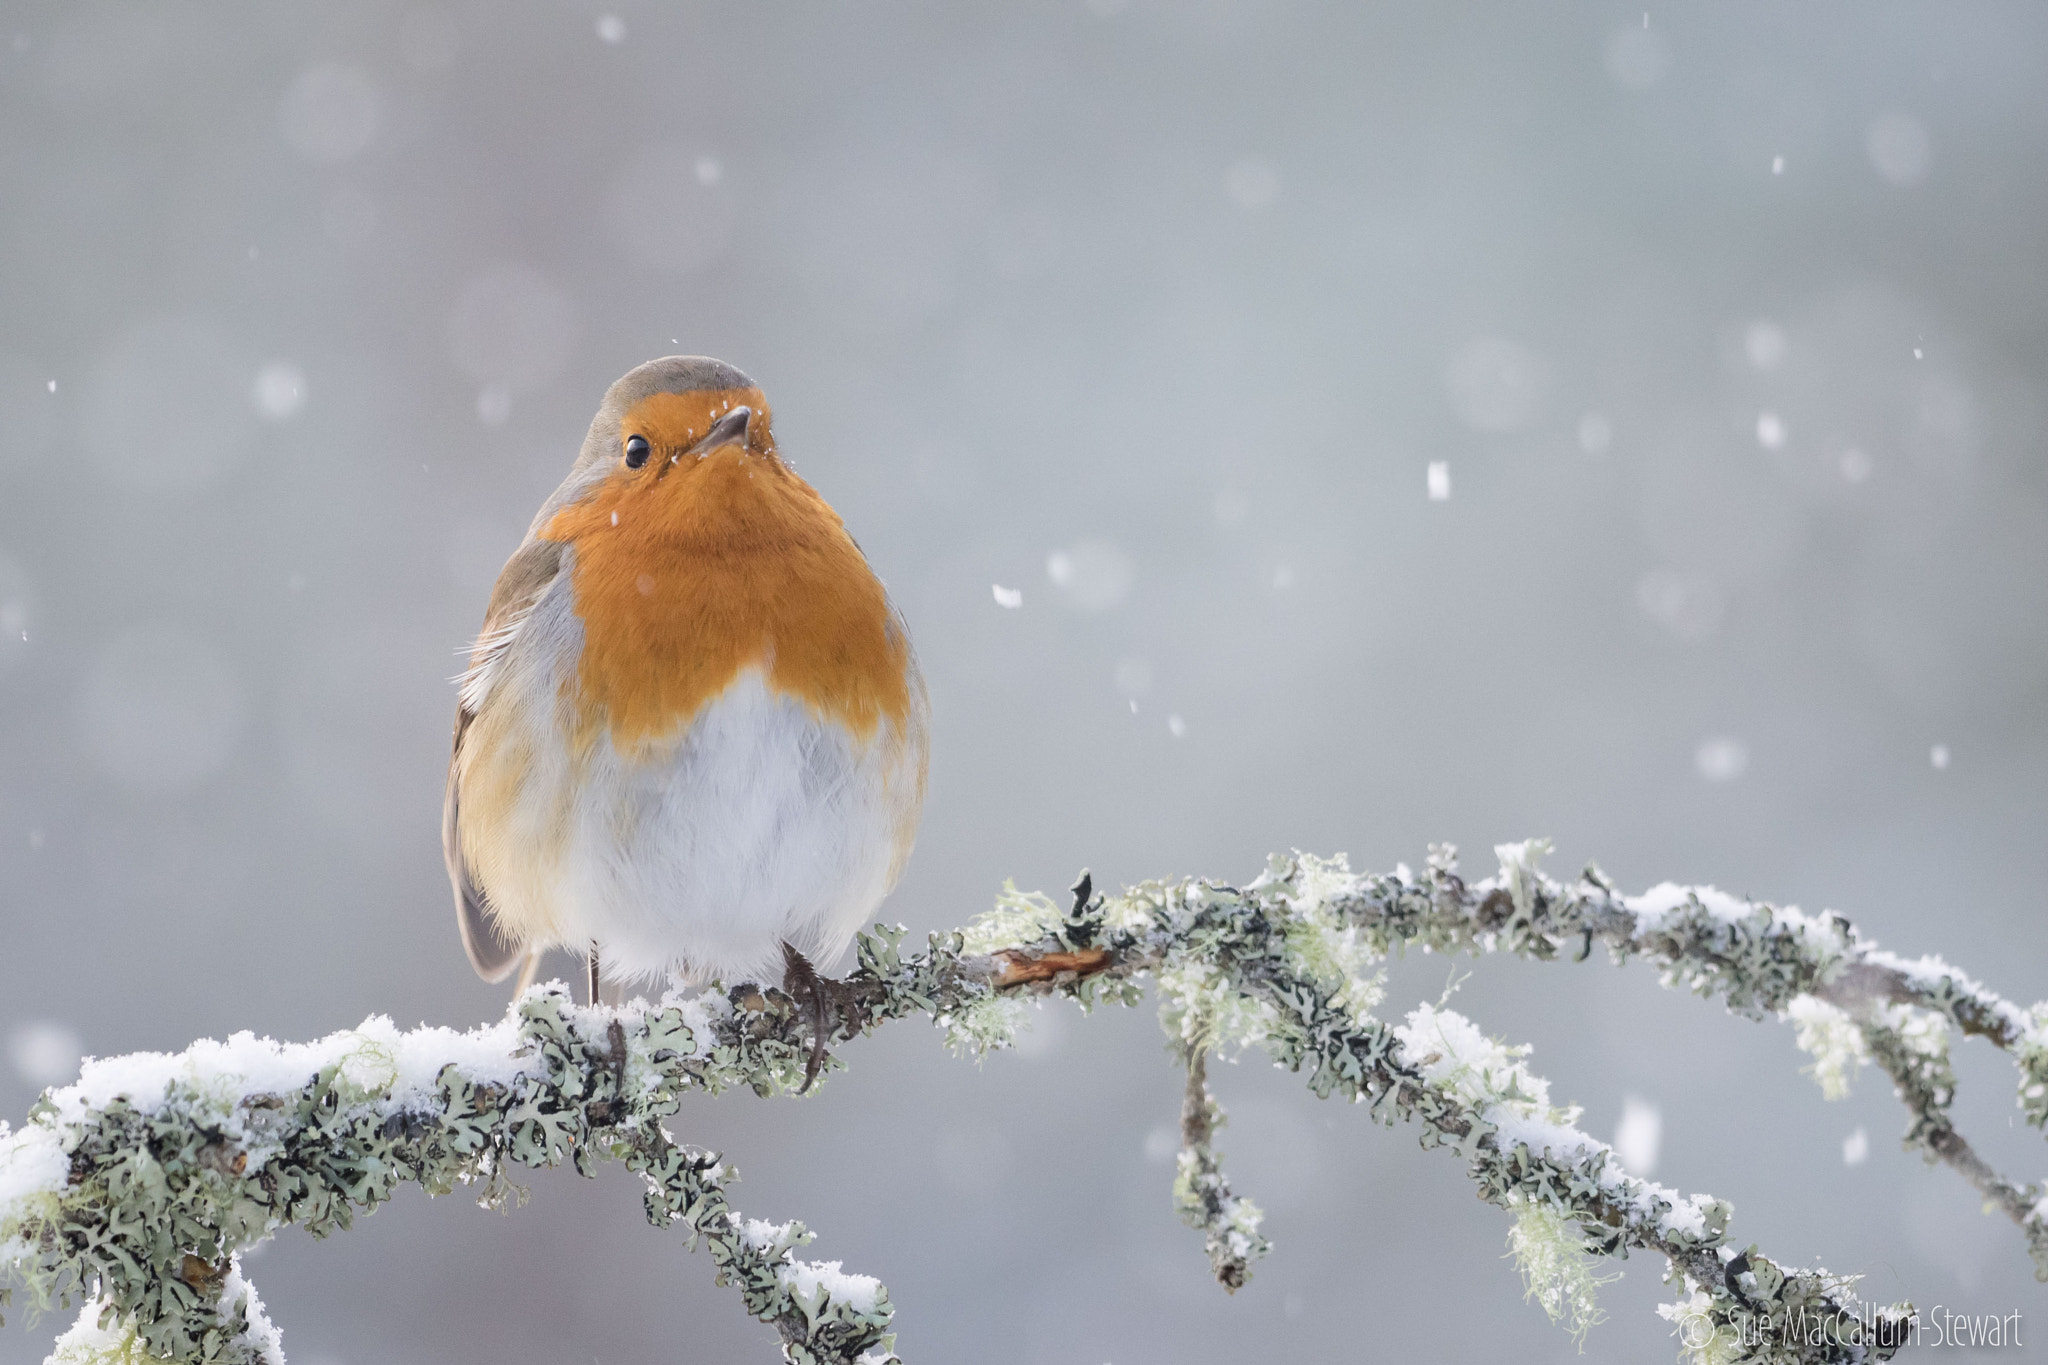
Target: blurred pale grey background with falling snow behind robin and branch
x,y
1390,425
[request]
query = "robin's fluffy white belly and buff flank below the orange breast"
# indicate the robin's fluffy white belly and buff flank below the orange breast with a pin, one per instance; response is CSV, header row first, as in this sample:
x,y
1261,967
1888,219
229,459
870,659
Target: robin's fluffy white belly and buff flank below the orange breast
x,y
763,824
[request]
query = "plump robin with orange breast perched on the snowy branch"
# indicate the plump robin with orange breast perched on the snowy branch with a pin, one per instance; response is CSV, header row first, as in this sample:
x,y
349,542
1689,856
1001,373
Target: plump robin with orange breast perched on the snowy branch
x,y
691,740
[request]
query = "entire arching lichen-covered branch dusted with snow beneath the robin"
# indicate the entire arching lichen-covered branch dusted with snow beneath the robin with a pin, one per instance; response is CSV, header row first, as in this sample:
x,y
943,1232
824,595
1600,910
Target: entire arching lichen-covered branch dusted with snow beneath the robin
x,y
138,1188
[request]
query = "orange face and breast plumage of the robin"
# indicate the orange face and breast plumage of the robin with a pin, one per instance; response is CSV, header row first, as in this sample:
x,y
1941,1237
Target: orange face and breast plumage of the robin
x,y
693,570
